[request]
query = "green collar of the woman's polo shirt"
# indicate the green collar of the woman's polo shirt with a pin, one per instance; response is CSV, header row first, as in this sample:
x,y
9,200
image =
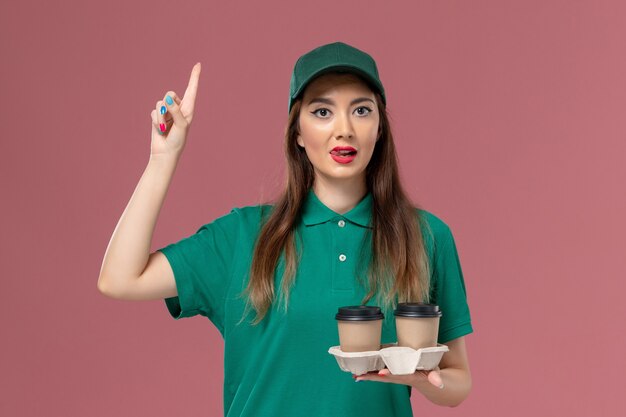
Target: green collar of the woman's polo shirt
x,y
315,212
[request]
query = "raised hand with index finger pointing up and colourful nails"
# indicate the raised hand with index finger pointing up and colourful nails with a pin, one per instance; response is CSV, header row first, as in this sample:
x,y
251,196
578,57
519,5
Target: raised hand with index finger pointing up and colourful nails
x,y
172,118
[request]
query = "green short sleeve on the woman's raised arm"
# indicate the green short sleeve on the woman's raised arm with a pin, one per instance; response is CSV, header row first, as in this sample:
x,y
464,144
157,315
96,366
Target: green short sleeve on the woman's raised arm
x,y
201,265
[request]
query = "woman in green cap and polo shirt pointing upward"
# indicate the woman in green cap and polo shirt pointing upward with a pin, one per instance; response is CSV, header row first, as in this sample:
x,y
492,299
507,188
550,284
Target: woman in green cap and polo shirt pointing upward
x,y
271,277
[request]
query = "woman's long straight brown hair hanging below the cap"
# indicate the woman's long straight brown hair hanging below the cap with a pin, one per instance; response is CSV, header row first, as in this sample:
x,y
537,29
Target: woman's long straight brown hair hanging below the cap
x,y
399,265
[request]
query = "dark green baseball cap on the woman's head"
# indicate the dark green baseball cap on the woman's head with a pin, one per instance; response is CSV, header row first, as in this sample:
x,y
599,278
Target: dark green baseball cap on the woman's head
x,y
336,56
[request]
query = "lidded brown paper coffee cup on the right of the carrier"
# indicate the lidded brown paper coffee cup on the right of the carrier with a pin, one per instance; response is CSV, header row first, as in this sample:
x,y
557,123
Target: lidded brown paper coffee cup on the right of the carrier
x,y
417,324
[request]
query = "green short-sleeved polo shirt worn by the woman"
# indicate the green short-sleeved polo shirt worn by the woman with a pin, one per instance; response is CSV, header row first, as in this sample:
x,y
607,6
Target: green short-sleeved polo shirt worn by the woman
x,y
282,367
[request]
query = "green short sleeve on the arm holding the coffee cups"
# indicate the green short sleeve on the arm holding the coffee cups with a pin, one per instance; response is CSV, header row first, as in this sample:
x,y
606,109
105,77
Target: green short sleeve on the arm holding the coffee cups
x,y
449,291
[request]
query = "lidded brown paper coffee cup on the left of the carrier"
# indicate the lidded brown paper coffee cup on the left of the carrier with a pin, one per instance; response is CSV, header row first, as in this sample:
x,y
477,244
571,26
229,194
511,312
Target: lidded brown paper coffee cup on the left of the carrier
x,y
360,328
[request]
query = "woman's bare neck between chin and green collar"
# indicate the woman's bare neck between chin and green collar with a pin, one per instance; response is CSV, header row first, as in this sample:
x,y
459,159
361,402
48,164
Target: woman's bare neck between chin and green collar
x,y
340,196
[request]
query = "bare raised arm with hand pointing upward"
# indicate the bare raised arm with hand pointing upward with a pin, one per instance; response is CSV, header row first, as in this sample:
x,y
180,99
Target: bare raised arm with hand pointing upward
x,y
128,270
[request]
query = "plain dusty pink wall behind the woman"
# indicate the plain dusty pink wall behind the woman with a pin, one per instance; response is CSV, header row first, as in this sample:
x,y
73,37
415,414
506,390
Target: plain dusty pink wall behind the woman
x,y
509,119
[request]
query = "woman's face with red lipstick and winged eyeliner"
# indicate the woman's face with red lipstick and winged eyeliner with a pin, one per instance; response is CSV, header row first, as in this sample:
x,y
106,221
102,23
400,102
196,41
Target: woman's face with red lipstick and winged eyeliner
x,y
338,127
